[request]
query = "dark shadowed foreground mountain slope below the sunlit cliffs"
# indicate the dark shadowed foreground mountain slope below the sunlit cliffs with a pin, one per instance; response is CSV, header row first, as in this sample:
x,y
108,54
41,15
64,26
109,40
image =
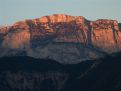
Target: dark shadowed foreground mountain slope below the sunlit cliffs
x,y
22,73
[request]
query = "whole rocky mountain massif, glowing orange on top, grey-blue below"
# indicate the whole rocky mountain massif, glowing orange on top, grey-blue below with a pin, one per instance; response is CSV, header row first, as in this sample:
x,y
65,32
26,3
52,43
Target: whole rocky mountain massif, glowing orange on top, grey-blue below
x,y
65,38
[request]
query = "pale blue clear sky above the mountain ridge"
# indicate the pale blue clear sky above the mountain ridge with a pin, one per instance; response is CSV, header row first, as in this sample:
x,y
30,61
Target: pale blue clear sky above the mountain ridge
x,y
12,11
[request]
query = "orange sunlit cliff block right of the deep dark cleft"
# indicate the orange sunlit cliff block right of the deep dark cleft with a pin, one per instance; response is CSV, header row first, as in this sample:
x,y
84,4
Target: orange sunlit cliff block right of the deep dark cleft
x,y
106,35
